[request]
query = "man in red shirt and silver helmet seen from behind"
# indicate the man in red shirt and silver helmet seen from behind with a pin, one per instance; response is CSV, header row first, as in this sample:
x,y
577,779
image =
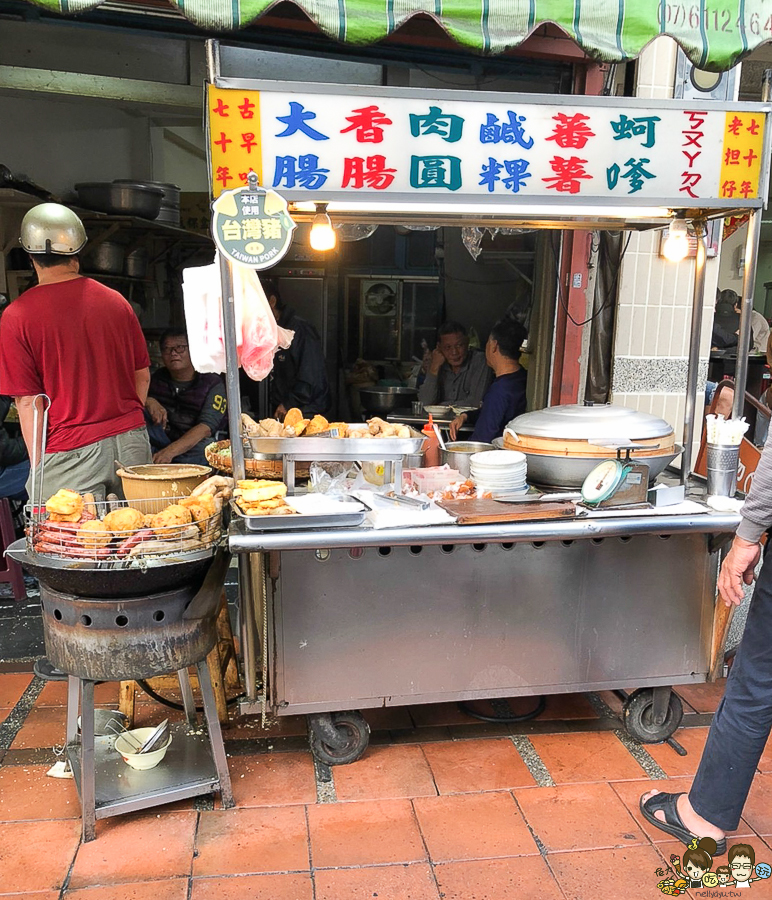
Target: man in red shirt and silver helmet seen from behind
x,y
80,343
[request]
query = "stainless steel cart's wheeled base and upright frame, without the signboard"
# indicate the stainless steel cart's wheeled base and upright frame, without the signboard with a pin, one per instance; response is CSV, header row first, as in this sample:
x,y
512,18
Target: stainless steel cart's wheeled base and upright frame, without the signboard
x,y
338,620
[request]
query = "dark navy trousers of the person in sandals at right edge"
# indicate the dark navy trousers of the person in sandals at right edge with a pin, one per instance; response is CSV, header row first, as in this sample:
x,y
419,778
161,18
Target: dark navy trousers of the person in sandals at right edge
x,y
743,720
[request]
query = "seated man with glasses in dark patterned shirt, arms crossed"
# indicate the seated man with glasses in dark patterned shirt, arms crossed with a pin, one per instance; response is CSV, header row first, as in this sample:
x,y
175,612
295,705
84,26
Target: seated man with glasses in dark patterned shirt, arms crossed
x,y
184,408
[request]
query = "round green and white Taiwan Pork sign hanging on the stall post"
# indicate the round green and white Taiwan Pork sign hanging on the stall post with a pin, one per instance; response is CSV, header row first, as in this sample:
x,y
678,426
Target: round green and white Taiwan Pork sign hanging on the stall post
x,y
251,225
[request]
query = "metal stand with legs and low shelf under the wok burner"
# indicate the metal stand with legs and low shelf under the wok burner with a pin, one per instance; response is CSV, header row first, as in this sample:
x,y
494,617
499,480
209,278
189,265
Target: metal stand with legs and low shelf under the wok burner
x,y
107,787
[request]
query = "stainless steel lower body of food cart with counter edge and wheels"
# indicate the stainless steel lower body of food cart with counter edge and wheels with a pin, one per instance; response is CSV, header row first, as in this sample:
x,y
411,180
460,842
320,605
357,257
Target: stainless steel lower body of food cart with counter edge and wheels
x,y
358,618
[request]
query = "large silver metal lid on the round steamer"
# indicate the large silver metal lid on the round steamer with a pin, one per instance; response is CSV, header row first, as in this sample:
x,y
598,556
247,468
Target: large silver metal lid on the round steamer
x,y
595,422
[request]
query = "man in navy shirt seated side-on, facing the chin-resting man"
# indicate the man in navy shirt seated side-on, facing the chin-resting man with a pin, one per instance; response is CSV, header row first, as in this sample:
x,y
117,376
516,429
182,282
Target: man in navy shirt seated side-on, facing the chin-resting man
x,y
505,398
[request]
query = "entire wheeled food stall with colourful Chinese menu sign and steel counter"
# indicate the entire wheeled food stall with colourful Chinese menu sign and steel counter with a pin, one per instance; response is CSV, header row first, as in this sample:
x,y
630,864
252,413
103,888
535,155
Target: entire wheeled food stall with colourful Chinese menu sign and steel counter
x,y
337,619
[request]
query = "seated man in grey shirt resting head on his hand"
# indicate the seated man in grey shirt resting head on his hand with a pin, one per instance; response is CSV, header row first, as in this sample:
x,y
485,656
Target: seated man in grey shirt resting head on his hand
x,y
456,375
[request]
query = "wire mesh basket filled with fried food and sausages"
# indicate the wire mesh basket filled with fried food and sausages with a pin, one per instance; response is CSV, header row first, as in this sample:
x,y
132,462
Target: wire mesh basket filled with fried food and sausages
x,y
127,529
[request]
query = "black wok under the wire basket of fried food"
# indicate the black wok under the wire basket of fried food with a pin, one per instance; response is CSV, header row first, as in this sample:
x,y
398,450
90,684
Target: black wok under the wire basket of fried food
x,y
83,578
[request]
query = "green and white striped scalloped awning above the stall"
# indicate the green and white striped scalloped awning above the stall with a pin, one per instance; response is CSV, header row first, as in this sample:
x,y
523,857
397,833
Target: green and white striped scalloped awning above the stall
x,y
714,34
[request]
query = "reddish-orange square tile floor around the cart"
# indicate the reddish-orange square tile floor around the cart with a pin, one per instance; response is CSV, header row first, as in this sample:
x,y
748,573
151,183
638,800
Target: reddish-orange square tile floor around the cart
x,y
440,807
